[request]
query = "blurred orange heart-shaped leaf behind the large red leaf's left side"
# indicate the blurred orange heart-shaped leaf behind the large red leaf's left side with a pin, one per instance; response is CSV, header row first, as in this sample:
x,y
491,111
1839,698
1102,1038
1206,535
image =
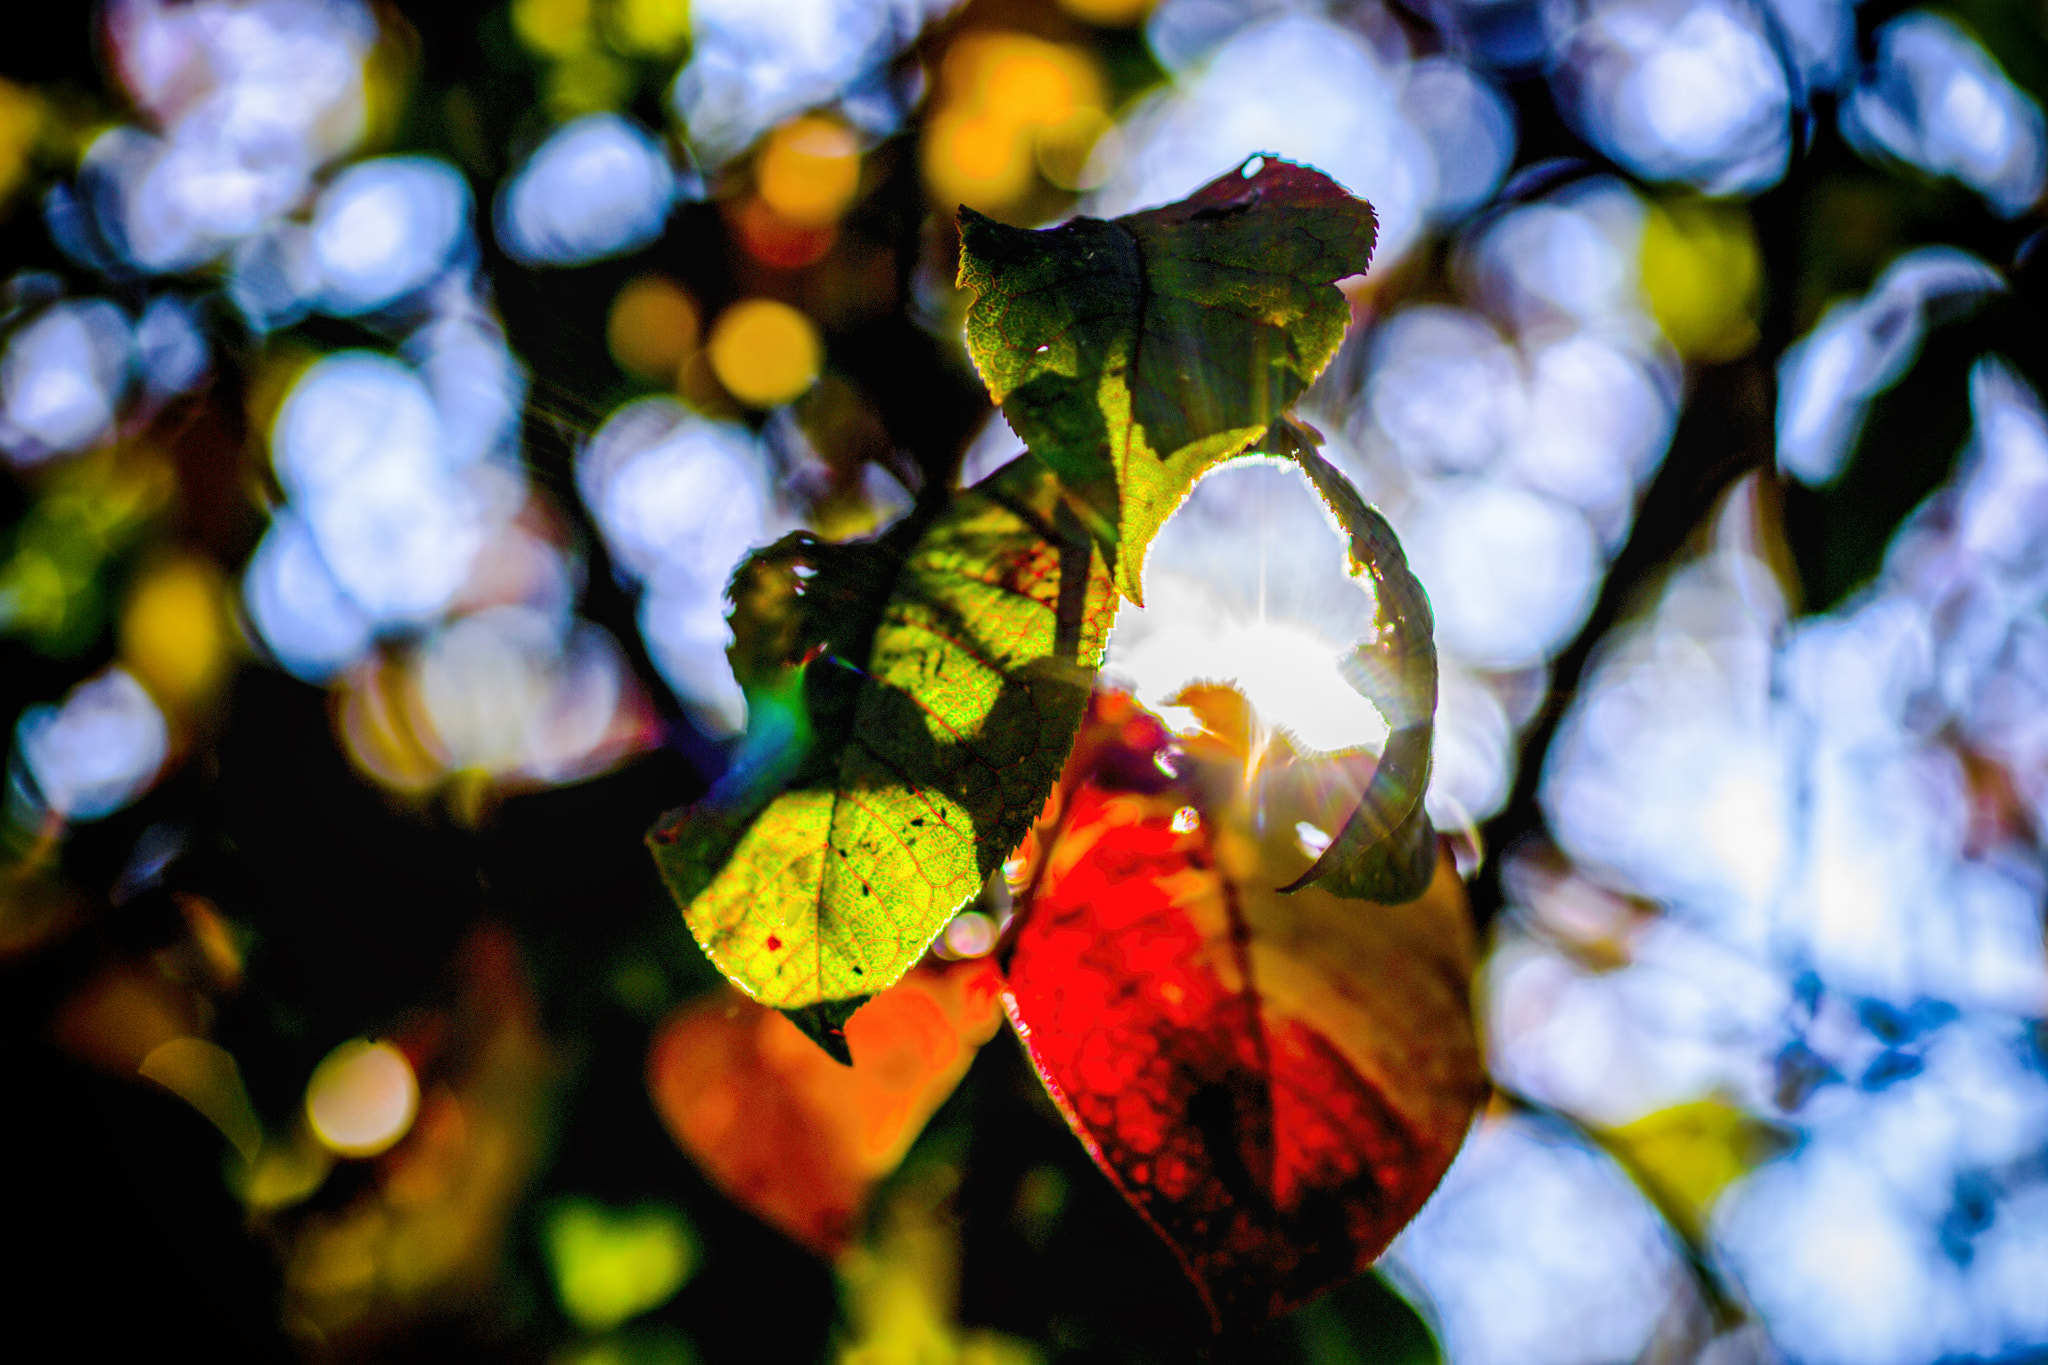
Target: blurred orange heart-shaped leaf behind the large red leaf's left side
x,y
790,1133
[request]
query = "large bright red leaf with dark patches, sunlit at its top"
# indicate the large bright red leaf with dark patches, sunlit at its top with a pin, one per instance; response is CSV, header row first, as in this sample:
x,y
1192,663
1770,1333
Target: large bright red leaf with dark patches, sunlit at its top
x,y
1275,1082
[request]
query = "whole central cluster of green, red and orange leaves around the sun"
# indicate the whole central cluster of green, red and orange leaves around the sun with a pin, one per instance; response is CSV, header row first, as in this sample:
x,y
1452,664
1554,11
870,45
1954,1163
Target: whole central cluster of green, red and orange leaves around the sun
x,y
1271,1065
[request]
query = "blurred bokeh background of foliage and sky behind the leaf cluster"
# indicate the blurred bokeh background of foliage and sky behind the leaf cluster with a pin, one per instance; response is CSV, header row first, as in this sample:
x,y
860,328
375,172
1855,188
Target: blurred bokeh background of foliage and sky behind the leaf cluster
x,y
388,392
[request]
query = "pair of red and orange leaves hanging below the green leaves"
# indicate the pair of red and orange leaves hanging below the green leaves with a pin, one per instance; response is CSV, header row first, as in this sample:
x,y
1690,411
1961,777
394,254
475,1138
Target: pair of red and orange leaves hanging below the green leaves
x,y
1275,1082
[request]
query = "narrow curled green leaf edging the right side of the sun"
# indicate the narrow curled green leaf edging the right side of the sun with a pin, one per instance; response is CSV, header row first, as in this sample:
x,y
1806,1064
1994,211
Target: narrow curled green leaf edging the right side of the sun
x,y
1388,848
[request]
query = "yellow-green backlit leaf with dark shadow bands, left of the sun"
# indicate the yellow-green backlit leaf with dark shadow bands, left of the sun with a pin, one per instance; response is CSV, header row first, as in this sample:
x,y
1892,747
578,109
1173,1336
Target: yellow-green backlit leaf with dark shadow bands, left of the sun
x,y
912,705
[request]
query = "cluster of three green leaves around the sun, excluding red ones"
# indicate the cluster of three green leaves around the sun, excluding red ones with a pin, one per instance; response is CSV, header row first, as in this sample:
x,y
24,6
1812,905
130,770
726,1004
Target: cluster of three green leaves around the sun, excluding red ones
x,y
916,697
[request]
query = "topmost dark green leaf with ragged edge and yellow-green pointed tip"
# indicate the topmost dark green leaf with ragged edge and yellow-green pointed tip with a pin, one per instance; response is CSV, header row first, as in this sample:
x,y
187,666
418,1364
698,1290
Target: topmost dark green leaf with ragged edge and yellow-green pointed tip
x,y
1136,355
